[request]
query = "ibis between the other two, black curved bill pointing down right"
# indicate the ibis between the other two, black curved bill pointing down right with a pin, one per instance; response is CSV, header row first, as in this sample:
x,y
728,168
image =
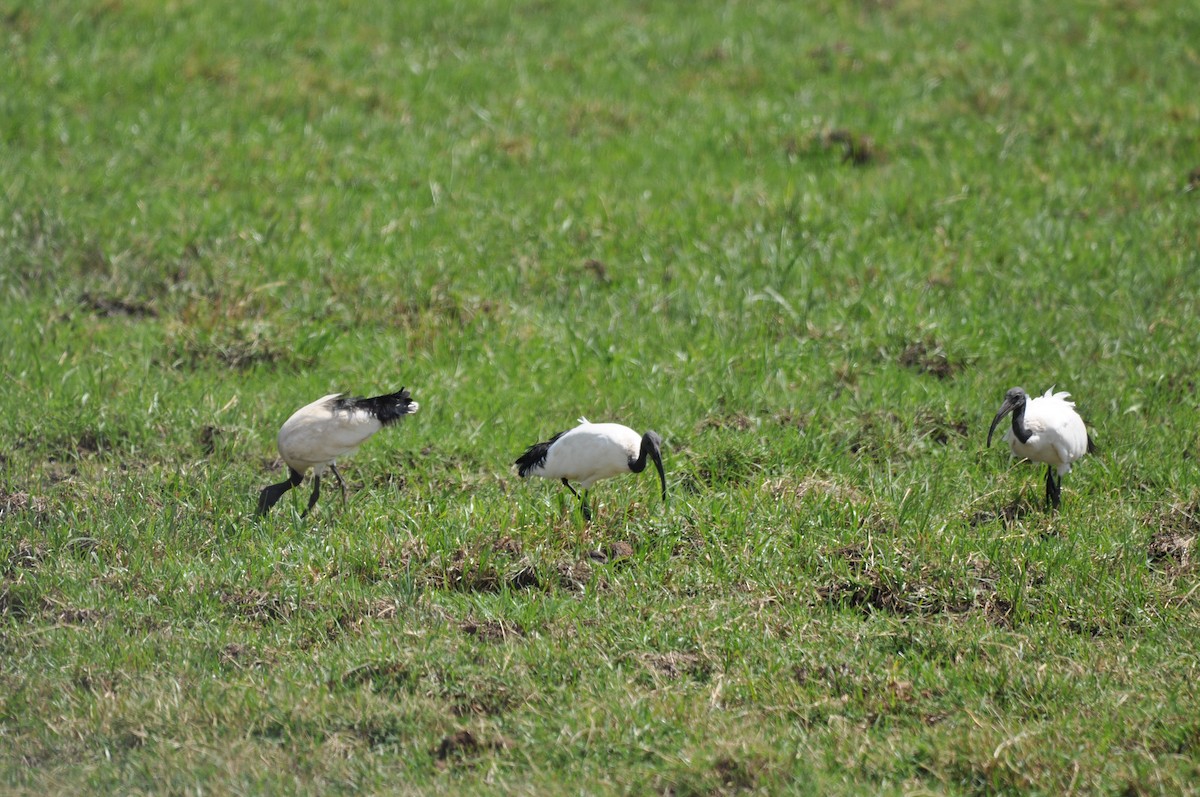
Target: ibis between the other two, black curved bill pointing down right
x,y
591,453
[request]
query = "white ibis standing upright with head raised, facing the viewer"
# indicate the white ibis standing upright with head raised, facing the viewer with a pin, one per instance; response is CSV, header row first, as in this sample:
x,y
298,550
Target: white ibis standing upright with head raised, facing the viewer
x,y
1046,430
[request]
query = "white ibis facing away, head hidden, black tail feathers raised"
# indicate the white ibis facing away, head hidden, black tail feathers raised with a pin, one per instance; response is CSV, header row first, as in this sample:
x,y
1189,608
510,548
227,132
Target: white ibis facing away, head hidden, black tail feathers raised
x,y
329,428
